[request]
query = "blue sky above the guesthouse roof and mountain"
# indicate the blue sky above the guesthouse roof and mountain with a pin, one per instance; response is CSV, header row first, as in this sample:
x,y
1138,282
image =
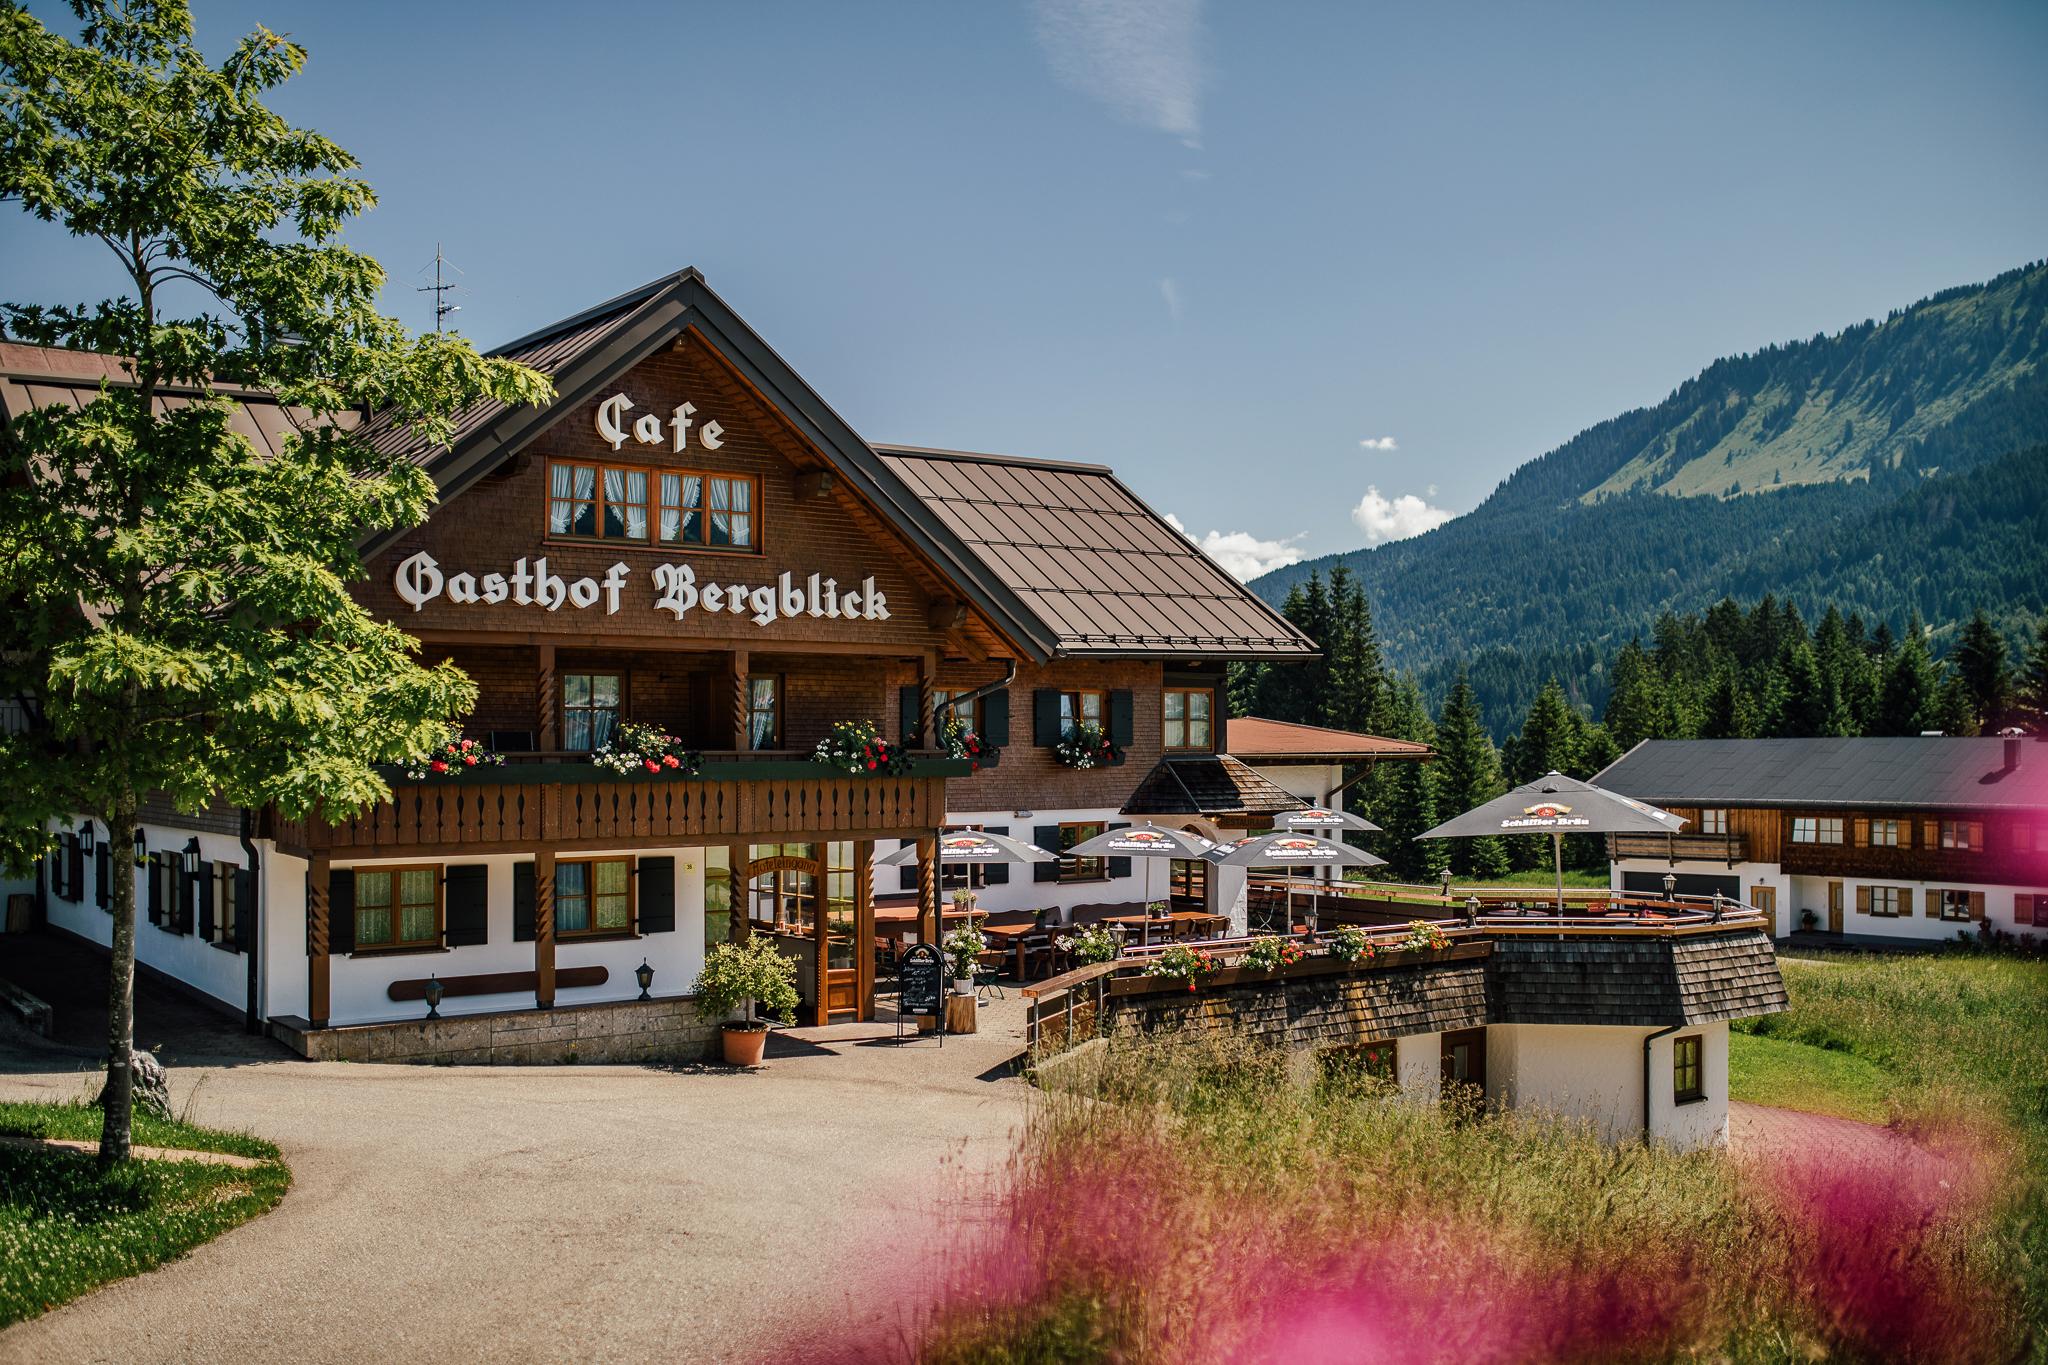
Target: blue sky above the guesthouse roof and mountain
x,y
1308,275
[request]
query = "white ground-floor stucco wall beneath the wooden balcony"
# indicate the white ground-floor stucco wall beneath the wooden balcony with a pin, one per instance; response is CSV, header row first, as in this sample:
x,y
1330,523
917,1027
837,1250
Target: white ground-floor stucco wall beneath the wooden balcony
x,y
357,983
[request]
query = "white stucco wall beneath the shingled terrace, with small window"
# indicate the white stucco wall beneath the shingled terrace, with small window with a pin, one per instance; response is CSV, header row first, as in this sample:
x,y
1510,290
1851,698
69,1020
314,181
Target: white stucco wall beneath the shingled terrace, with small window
x,y
1596,1075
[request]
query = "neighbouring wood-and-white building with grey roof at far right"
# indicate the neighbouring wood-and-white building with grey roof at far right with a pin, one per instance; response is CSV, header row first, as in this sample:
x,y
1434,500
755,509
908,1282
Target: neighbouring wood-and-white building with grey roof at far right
x,y
1914,838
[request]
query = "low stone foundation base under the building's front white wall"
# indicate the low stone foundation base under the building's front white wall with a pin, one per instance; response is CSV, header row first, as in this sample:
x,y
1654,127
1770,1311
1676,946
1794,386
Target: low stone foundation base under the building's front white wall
x,y
660,1030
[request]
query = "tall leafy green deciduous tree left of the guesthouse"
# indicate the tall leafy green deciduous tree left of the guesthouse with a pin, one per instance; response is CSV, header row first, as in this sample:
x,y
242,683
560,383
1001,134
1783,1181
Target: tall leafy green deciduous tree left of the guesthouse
x,y
177,611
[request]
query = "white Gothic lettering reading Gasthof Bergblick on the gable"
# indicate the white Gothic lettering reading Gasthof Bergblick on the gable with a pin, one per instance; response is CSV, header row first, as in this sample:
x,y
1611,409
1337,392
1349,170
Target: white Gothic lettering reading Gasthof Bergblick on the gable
x,y
419,580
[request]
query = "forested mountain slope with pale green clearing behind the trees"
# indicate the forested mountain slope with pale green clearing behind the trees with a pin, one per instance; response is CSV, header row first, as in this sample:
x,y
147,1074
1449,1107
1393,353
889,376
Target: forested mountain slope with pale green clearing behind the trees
x,y
1889,468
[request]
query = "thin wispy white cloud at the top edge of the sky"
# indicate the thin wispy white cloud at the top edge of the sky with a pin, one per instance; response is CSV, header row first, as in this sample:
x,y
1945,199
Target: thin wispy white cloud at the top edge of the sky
x,y
1142,58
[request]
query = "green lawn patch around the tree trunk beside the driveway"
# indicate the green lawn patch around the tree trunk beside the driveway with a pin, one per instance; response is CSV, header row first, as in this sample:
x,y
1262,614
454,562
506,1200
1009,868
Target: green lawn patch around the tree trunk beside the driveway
x,y
69,1229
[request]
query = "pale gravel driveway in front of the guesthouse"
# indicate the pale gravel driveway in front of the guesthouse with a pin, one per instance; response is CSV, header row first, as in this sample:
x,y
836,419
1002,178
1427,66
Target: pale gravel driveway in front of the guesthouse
x,y
544,1215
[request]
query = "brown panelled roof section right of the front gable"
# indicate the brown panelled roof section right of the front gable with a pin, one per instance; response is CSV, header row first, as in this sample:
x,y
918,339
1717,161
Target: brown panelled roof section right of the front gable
x,y
1091,560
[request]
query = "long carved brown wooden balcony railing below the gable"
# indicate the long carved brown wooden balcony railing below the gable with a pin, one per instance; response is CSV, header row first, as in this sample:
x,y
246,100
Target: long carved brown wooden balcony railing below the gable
x,y
566,807
